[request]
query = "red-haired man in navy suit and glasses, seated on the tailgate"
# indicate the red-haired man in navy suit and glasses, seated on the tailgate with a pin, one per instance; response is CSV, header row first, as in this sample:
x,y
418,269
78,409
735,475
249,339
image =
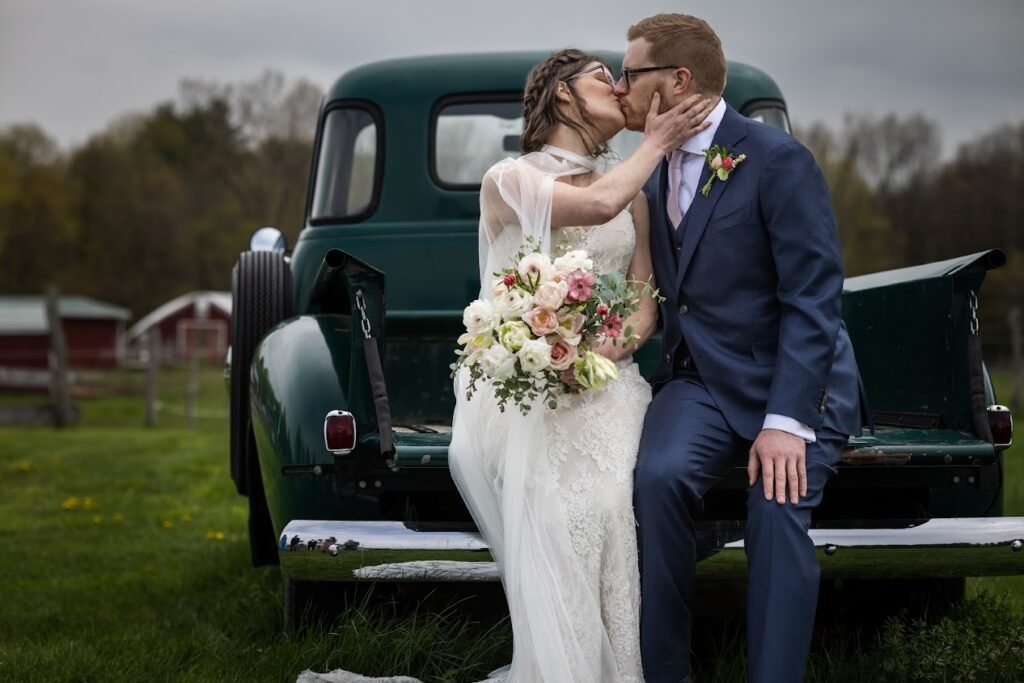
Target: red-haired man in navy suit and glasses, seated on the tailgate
x,y
756,362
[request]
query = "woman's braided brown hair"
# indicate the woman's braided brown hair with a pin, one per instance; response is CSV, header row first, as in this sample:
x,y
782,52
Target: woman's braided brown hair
x,y
540,107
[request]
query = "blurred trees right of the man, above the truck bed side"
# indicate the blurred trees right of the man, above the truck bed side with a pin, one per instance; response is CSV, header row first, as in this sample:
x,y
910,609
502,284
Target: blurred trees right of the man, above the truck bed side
x,y
898,203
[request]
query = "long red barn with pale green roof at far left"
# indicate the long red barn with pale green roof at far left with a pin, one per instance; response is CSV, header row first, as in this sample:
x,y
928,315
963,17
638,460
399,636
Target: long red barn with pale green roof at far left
x,y
94,330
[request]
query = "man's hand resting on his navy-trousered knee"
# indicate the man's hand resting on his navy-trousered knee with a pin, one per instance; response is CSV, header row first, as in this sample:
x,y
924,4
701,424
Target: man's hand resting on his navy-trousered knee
x,y
782,460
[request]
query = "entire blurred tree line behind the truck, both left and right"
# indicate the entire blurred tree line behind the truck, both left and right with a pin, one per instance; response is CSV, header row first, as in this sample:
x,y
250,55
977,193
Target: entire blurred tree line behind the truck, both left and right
x,y
161,203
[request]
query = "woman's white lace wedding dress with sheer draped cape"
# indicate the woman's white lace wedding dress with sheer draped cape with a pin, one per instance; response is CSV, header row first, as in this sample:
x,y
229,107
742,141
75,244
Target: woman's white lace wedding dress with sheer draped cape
x,y
552,492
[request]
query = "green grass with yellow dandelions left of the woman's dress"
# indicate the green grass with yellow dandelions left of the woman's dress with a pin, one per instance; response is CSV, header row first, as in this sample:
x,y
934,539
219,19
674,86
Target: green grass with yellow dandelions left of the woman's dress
x,y
125,558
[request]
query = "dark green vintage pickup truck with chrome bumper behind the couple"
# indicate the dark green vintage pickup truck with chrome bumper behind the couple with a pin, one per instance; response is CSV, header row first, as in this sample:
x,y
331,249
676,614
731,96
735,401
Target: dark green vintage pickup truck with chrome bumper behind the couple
x,y
342,401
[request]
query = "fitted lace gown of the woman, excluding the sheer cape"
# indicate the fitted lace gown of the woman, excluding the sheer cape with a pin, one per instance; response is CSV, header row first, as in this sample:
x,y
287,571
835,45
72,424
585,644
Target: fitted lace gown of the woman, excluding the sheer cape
x,y
592,449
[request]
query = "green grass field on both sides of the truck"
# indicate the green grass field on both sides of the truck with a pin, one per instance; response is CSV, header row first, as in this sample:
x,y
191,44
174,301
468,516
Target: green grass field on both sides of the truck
x,y
124,558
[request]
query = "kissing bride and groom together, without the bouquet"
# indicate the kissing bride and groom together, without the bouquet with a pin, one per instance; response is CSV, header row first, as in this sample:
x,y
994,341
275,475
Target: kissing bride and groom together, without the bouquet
x,y
589,507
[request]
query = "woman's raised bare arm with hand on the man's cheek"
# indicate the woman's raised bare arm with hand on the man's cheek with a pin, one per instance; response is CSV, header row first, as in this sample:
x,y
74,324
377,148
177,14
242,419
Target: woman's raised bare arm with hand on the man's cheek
x,y
604,199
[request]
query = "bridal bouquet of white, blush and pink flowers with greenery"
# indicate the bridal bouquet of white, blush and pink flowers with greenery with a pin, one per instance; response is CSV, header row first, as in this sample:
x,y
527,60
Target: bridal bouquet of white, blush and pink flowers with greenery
x,y
539,329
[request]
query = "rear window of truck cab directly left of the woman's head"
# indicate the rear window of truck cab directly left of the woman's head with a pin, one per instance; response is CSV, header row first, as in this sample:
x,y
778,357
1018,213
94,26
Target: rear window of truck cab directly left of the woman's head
x,y
472,137
